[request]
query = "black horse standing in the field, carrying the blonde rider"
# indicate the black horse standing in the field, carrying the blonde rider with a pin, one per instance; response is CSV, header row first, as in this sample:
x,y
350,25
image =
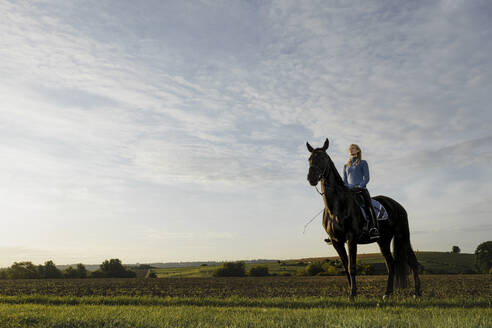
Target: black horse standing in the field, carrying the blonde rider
x,y
344,223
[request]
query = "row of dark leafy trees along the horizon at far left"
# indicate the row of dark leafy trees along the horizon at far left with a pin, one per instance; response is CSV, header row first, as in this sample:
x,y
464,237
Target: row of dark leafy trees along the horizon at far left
x,y
112,268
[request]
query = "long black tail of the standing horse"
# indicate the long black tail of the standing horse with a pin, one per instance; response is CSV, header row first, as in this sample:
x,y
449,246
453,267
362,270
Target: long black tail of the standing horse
x,y
402,249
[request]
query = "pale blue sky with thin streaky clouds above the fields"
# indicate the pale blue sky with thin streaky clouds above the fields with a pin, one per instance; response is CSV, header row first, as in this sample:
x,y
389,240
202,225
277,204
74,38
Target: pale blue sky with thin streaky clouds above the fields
x,y
159,131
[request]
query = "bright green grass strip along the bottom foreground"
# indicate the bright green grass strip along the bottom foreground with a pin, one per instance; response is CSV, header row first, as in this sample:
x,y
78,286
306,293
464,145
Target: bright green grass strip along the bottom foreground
x,y
42,311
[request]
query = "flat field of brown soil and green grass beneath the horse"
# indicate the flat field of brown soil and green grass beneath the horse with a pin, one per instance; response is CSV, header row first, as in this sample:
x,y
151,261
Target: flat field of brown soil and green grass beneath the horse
x,y
448,301
